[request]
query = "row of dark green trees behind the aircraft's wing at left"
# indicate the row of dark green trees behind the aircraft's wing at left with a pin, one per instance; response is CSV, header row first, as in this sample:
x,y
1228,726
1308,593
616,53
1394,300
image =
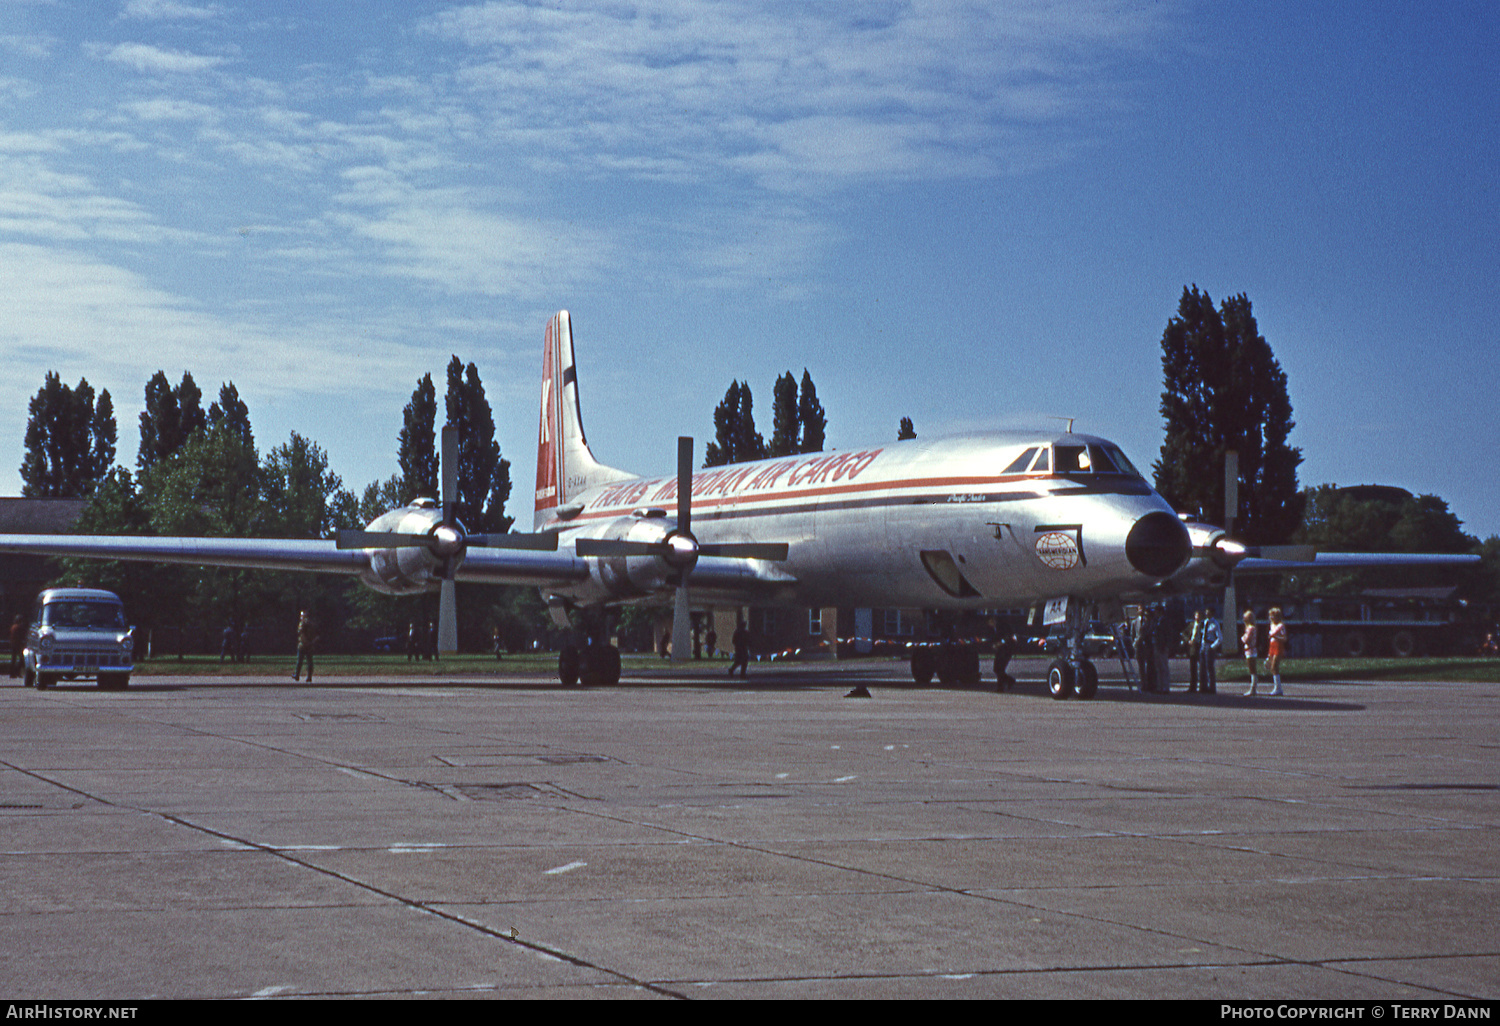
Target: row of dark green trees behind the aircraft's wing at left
x,y
199,473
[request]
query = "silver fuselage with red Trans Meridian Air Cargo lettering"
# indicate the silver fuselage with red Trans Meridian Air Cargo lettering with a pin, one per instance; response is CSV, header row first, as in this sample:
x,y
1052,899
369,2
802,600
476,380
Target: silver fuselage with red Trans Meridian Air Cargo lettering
x,y
917,524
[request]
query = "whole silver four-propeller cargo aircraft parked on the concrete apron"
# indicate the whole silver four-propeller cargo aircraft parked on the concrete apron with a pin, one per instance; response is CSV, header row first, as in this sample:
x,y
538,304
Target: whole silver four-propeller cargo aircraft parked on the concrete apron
x,y
952,526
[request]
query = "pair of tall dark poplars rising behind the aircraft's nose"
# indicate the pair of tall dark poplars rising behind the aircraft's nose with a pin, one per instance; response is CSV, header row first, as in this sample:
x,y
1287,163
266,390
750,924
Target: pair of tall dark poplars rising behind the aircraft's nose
x,y
1225,391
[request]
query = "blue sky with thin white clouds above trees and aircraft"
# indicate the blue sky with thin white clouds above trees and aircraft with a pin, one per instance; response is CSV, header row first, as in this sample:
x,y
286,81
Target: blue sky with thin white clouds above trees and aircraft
x,y
976,215
